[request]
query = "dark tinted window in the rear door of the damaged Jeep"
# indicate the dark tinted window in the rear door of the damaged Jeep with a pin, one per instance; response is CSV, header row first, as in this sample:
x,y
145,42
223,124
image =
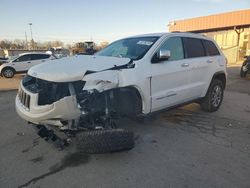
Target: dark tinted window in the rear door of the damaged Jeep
x,y
193,48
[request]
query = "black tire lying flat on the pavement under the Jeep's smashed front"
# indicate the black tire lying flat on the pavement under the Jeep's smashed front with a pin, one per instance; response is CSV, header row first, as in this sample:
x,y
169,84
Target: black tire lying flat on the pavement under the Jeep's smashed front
x,y
105,141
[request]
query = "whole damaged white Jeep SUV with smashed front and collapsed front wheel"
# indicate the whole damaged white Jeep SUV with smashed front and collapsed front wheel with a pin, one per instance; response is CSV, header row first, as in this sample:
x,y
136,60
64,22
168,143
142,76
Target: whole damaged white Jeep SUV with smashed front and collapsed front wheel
x,y
132,77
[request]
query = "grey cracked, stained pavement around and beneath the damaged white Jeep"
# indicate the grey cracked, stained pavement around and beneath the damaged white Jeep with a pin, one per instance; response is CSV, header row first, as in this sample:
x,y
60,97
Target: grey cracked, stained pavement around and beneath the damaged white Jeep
x,y
183,147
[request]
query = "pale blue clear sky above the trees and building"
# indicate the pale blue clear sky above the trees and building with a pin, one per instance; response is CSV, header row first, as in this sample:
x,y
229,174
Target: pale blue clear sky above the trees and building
x,y
107,20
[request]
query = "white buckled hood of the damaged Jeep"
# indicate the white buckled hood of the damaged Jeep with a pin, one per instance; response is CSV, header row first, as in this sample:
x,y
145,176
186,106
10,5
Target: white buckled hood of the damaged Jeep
x,y
73,68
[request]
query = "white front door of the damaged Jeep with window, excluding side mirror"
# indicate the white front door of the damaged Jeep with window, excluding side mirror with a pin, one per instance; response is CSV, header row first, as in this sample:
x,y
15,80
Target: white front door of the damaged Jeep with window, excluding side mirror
x,y
169,78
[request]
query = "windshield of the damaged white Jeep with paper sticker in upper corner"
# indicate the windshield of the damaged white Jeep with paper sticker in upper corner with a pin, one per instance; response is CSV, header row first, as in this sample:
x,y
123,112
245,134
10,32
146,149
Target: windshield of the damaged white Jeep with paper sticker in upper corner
x,y
133,48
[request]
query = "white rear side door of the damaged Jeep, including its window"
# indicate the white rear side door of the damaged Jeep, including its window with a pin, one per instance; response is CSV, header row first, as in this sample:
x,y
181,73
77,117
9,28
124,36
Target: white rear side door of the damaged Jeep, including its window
x,y
198,64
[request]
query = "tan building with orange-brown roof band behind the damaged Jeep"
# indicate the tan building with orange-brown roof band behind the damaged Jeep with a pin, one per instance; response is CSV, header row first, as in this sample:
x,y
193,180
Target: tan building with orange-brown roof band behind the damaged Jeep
x,y
231,31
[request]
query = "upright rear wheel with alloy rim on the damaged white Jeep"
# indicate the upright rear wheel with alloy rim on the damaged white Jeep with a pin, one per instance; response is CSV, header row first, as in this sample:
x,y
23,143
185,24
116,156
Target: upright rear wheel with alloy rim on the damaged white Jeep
x,y
213,99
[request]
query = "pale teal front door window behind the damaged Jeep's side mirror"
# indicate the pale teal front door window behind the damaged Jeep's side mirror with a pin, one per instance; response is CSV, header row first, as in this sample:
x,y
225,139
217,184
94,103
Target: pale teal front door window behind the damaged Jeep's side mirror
x,y
174,45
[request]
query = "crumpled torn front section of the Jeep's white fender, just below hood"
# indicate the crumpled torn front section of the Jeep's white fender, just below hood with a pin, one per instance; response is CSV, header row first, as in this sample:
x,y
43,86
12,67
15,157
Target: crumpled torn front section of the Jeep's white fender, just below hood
x,y
101,81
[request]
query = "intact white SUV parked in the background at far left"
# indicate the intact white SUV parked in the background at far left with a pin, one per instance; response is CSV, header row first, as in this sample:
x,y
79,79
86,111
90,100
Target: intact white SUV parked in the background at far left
x,y
22,62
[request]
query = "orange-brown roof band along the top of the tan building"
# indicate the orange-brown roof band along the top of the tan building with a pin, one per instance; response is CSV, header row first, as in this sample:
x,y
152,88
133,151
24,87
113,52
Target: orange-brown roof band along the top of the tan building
x,y
229,20
